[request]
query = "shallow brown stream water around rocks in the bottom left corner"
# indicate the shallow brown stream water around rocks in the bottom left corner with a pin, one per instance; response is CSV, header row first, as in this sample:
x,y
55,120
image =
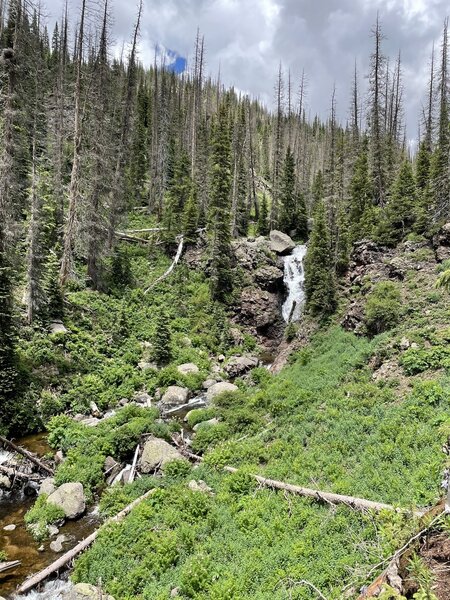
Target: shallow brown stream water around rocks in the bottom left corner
x,y
19,544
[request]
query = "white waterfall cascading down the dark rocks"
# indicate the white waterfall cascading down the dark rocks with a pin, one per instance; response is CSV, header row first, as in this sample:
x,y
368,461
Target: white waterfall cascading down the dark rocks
x,y
294,279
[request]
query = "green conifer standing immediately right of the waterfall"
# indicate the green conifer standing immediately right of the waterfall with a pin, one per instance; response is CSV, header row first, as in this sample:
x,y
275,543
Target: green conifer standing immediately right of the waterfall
x,y
320,285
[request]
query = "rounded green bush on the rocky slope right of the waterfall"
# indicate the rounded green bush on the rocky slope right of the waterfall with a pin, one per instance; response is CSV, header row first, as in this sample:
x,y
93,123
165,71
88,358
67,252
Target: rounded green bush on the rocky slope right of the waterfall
x,y
383,307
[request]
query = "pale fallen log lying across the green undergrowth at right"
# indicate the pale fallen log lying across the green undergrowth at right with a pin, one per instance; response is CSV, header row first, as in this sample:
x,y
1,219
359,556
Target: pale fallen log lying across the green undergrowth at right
x,y
328,497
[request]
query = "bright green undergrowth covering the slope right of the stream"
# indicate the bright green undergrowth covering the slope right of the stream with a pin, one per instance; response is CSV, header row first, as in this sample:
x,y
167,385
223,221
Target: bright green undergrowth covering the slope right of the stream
x,y
323,422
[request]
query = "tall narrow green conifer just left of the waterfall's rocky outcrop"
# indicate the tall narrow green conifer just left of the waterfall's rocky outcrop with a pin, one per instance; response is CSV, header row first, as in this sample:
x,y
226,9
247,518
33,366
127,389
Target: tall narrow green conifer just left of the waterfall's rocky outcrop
x,y
220,218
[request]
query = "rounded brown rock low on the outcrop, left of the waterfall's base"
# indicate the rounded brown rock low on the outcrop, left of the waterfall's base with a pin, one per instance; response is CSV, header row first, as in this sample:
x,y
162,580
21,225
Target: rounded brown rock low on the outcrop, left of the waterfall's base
x,y
259,308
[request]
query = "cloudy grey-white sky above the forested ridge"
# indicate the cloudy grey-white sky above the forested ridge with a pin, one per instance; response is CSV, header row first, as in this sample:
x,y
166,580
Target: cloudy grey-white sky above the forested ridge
x,y
248,39
